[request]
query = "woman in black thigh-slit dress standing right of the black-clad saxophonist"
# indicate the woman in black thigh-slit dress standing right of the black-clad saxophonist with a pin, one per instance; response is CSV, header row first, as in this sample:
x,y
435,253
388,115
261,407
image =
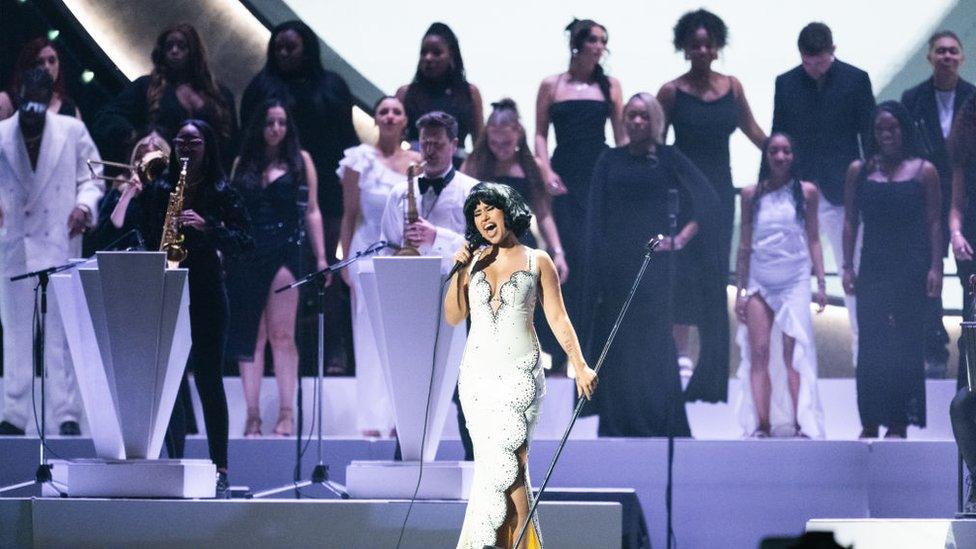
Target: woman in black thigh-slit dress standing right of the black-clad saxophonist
x,y
276,178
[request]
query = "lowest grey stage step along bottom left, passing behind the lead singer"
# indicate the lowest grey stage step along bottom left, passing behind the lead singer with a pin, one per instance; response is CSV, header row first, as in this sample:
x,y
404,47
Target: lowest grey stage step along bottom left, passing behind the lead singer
x,y
329,524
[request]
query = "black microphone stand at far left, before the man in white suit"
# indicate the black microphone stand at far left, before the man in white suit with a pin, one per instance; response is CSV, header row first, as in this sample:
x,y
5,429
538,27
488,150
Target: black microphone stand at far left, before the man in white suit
x,y
43,474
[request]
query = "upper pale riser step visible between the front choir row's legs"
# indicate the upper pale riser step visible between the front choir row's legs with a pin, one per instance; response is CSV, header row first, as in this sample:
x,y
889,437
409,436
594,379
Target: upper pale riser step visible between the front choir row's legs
x,y
708,421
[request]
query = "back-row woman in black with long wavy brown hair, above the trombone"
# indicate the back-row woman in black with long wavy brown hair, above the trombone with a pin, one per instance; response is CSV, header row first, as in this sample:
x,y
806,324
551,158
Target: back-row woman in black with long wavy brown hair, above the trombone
x,y
179,87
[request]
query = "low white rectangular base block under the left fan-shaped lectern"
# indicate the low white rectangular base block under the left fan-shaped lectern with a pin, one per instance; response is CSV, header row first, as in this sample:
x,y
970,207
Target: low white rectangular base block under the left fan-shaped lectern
x,y
134,478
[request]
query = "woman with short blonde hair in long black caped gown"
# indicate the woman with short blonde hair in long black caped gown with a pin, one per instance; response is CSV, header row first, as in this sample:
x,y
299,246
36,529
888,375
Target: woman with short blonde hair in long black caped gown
x,y
640,391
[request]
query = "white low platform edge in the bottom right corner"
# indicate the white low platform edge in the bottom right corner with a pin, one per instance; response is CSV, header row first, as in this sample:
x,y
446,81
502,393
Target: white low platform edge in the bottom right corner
x,y
895,533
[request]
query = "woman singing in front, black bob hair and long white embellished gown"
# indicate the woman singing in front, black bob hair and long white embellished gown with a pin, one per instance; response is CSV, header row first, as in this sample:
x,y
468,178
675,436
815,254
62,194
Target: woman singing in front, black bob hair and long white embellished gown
x,y
501,382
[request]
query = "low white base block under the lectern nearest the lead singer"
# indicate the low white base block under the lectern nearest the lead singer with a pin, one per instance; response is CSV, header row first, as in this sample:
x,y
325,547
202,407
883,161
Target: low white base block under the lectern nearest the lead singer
x,y
398,479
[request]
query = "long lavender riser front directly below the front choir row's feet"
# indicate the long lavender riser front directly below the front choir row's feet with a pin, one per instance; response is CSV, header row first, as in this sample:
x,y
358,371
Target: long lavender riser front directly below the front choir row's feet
x,y
727,493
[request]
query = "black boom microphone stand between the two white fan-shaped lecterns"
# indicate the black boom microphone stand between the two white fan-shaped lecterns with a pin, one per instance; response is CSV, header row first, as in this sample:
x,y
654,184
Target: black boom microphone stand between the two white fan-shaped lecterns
x,y
320,474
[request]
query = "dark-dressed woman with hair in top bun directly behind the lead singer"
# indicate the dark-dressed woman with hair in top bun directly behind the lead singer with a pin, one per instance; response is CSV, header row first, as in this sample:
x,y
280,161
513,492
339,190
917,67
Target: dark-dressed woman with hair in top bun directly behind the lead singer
x,y
502,154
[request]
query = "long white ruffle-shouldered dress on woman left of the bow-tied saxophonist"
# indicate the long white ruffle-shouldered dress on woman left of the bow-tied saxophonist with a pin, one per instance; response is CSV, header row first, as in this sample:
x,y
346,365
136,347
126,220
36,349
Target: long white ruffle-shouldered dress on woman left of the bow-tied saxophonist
x,y
376,181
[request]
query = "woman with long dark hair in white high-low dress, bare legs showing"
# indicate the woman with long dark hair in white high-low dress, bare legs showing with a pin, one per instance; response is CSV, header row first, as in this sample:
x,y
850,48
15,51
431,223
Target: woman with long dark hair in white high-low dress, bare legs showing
x,y
779,244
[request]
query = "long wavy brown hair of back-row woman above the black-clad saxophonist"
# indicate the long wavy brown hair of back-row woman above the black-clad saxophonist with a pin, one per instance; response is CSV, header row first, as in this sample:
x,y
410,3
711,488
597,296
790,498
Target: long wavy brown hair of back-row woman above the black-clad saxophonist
x,y
198,73
